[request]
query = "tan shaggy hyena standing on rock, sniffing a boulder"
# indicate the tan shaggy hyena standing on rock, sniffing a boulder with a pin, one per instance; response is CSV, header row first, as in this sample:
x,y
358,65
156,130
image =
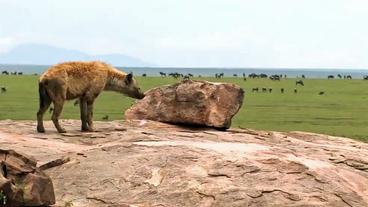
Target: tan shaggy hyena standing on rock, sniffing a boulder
x,y
82,80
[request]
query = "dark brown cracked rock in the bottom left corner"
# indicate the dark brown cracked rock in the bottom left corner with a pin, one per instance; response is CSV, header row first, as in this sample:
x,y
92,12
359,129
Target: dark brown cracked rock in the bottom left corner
x,y
22,183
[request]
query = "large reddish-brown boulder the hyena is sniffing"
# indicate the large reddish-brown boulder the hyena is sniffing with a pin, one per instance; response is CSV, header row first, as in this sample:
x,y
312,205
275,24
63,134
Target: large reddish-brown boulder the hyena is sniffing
x,y
190,102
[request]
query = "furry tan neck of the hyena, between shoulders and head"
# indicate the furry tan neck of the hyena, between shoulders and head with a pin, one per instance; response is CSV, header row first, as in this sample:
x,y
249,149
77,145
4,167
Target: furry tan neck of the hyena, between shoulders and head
x,y
115,81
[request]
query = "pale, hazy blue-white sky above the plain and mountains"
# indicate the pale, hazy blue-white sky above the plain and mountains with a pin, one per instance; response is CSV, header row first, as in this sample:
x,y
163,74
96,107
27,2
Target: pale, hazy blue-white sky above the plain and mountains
x,y
198,33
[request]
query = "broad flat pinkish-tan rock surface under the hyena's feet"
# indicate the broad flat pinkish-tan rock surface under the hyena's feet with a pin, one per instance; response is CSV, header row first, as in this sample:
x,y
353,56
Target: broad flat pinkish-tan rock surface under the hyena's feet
x,y
146,163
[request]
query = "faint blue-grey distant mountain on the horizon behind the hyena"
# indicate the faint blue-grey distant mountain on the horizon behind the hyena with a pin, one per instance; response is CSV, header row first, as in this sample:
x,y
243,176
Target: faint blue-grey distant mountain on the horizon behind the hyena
x,y
39,54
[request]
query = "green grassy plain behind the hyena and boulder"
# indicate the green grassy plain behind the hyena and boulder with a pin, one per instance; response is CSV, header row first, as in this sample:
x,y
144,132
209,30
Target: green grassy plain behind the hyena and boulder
x,y
342,111
